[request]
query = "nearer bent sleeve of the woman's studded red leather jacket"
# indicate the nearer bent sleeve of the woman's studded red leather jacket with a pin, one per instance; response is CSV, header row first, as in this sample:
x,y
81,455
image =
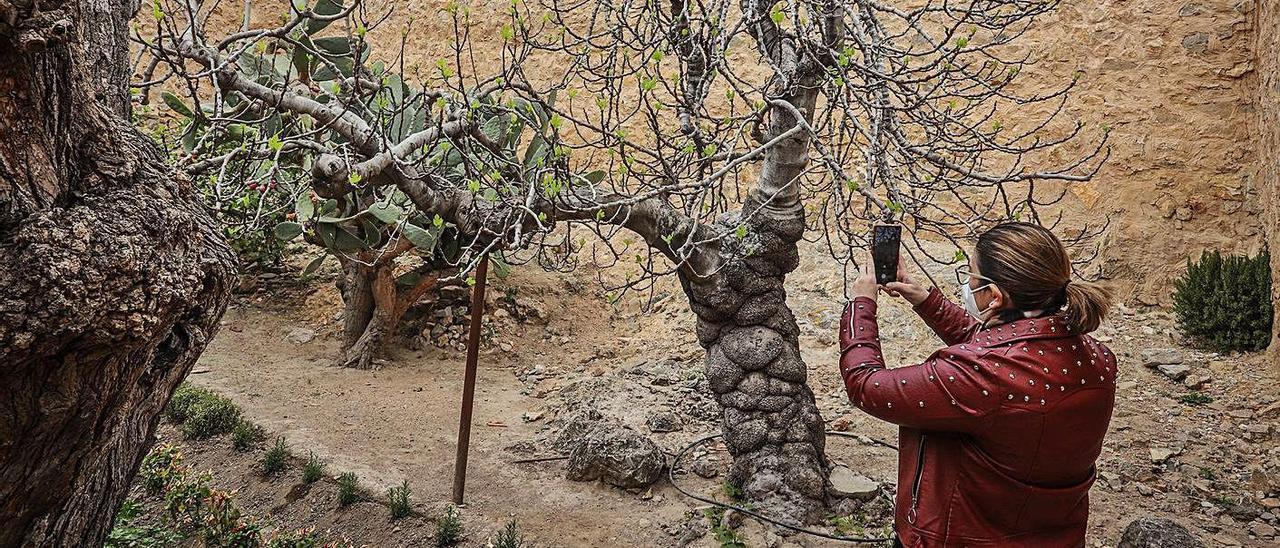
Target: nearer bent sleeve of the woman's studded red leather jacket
x,y
950,391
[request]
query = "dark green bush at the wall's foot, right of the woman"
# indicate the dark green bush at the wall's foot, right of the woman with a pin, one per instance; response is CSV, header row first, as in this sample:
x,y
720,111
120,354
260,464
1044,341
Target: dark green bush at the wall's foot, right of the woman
x,y
1224,304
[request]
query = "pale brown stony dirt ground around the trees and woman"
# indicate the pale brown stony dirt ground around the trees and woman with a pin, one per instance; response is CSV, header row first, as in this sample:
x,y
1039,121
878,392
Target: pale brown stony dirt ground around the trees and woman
x,y
1213,467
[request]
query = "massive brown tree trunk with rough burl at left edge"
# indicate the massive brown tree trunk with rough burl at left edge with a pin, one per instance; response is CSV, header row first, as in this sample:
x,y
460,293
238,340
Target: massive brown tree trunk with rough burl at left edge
x,y
113,276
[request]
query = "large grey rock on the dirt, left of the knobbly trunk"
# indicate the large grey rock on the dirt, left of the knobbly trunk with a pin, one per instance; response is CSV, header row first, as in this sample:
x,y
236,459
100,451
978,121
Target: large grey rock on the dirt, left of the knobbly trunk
x,y
618,456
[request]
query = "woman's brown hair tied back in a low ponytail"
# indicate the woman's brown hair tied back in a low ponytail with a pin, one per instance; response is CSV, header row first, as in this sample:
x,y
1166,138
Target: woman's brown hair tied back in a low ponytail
x,y
1031,266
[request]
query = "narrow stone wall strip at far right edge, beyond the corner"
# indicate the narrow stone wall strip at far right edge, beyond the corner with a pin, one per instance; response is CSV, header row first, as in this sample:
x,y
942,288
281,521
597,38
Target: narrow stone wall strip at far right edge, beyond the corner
x,y
1268,48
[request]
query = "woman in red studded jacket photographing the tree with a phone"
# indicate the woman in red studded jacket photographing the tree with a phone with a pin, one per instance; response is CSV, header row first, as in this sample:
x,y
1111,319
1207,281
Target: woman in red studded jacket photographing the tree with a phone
x,y
1000,431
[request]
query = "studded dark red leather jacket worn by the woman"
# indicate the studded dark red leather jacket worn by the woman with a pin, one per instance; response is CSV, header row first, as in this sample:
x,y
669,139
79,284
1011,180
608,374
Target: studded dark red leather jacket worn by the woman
x,y
999,432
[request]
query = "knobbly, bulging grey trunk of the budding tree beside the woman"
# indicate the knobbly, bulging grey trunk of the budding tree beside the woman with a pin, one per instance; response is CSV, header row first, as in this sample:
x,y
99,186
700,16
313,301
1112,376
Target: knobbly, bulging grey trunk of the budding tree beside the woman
x,y
771,423
